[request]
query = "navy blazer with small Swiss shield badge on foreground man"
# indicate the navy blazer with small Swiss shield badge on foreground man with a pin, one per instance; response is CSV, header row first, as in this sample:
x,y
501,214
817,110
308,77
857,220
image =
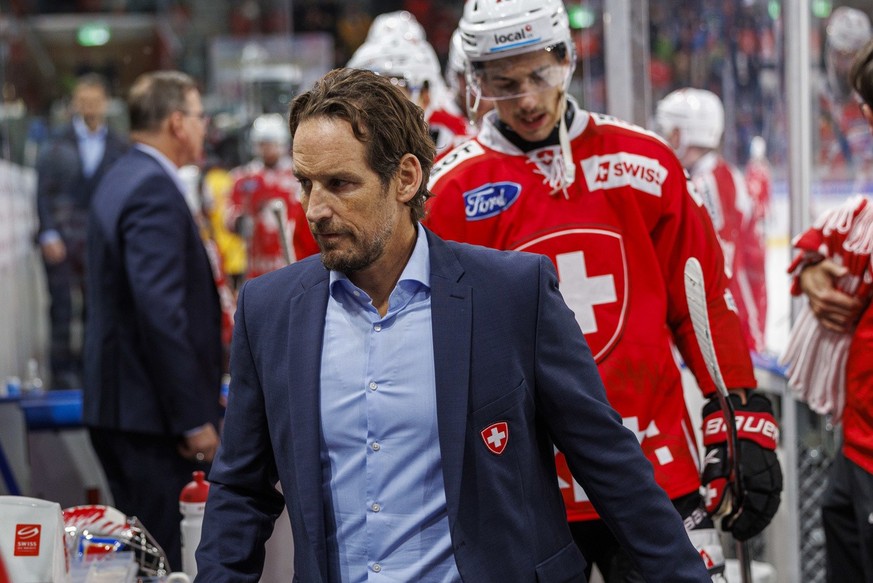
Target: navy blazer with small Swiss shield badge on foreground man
x,y
506,348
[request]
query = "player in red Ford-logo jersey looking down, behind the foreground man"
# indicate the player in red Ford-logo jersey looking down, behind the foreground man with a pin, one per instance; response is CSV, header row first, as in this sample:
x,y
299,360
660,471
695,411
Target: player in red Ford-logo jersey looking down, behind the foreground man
x,y
610,205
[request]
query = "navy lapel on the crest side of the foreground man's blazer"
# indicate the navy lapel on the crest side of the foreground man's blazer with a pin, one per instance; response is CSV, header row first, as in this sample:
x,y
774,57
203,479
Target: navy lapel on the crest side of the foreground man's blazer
x,y
451,309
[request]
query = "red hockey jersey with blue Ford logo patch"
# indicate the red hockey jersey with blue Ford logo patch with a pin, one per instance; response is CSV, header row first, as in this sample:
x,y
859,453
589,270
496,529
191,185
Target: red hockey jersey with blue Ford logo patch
x,y
619,234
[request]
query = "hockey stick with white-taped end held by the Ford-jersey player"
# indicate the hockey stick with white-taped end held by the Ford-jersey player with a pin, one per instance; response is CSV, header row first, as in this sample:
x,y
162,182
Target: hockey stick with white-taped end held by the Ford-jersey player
x,y
695,293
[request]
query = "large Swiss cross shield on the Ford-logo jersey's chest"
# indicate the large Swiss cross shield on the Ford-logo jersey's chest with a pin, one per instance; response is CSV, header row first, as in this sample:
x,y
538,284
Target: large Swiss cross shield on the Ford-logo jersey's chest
x,y
594,284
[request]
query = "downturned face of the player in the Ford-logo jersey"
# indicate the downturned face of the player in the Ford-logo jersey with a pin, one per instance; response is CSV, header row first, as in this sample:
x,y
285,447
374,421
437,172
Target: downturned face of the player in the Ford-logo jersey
x,y
527,90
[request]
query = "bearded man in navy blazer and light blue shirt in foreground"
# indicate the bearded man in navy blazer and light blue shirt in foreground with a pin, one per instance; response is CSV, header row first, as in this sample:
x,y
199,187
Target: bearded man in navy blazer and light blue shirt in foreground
x,y
407,393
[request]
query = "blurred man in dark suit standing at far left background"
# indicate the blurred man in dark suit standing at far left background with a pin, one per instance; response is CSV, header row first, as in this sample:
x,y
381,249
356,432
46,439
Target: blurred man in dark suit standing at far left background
x,y
68,171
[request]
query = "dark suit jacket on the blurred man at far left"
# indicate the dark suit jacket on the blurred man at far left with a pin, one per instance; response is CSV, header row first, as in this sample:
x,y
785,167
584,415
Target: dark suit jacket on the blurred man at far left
x,y
63,192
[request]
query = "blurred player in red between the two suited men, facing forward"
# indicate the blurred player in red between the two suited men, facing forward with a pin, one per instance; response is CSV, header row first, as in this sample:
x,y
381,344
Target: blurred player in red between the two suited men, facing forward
x,y
262,185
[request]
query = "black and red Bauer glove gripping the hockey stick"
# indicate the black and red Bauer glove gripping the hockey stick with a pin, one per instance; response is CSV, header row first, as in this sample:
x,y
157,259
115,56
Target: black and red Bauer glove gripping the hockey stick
x,y
760,473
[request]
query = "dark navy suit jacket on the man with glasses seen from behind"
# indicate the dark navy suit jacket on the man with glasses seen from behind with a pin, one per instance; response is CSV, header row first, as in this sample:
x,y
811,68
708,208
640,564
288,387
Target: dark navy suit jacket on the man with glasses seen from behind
x,y
152,333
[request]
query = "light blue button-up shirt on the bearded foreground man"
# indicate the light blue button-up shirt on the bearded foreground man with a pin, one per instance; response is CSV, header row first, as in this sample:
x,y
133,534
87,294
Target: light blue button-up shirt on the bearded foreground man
x,y
382,477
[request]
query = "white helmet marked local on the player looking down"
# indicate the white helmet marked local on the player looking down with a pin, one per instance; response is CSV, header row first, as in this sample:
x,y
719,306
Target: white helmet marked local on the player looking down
x,y
493,29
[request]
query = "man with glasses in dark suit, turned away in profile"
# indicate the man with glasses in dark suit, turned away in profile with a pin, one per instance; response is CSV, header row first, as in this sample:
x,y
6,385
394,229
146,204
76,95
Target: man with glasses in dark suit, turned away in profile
x,y
152,336
